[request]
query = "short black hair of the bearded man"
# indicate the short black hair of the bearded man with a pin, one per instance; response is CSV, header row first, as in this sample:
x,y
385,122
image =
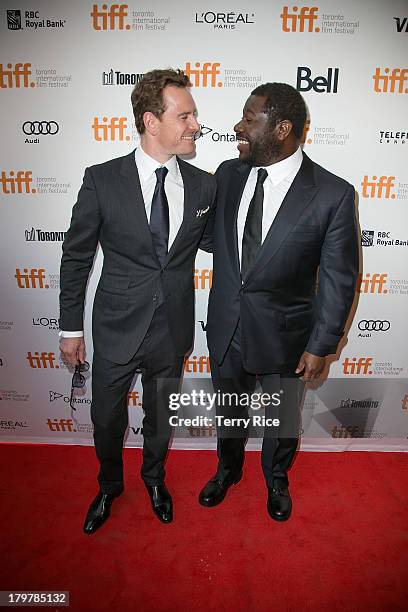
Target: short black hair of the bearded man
x,y
283,102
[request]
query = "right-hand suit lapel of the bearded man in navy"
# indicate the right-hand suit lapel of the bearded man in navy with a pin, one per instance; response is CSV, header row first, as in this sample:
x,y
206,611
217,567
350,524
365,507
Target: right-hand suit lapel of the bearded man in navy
x,y
298,197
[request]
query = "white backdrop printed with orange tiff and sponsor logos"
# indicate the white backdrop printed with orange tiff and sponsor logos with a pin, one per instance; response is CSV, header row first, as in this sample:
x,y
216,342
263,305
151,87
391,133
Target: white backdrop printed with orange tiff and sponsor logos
x,y
66,74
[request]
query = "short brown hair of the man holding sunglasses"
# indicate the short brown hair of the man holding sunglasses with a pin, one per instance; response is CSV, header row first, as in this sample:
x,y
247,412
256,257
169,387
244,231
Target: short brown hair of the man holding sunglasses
x,y
147,95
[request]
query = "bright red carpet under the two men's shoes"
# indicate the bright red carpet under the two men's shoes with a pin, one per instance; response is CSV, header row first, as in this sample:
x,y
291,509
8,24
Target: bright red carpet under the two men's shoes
x,y
345,547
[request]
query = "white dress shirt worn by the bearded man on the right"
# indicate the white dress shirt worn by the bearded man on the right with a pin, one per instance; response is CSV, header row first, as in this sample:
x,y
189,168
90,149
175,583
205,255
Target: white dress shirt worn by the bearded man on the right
x,y
276,185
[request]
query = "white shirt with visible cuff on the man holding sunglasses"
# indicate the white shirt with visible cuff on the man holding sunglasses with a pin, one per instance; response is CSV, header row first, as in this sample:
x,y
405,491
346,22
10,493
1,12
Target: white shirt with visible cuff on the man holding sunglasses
x,y
174,188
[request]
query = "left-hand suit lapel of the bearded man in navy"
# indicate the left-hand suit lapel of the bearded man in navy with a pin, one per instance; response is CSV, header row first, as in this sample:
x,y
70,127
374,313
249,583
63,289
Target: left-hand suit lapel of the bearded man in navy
x,y
233,196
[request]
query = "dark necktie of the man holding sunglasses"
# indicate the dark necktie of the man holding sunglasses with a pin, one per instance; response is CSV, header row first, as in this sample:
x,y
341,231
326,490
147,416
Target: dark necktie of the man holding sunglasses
x,y
159,216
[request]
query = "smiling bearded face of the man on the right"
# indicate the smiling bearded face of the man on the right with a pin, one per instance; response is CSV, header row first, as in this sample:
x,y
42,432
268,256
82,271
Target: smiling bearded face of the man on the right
x,y
258,142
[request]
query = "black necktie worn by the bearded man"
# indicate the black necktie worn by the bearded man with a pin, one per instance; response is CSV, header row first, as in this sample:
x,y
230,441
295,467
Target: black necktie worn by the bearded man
x,y
252,238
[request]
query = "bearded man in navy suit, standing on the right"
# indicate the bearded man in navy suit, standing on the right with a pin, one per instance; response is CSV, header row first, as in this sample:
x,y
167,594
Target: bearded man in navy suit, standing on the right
x,y
282,223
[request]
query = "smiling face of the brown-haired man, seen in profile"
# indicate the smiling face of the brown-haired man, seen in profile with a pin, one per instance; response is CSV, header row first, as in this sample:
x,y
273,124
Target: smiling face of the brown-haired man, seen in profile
x,y
172,133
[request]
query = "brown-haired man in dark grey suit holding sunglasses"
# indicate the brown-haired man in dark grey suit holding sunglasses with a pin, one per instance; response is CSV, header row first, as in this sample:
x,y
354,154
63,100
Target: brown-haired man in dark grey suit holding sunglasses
x,y
149,211
